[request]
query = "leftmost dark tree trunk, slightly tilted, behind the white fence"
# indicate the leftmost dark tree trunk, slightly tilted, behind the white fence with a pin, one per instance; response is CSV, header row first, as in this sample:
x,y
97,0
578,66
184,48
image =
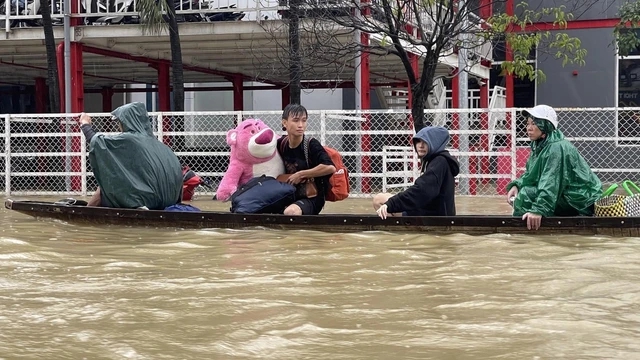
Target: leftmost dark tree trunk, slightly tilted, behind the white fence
x,y
52,63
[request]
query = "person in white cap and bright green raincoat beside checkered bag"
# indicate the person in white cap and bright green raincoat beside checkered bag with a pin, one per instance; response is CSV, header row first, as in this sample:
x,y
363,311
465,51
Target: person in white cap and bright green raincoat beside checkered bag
x,y
557,180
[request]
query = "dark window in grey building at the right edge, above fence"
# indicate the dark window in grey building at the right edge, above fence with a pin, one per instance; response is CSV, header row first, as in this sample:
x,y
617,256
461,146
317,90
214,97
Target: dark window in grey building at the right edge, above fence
x,y
628,113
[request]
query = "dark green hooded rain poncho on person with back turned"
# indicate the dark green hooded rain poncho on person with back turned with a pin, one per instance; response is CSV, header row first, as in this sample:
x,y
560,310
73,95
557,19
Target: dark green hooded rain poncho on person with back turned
x,y
134,169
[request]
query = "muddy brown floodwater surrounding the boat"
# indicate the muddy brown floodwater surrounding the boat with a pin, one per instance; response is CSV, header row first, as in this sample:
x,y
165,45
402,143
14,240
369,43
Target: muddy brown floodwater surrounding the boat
x,y
107,292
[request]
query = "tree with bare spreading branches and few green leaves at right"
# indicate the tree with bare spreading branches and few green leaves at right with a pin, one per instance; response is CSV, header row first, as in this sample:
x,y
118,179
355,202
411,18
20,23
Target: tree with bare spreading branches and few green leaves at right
x,y
428,29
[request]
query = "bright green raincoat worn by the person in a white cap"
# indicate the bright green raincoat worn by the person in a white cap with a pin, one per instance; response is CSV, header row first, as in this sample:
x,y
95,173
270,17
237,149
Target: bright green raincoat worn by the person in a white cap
x,y
557,180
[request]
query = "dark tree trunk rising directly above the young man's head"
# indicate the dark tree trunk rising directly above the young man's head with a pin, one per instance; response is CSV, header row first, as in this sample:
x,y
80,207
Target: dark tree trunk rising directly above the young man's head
x,y
295,61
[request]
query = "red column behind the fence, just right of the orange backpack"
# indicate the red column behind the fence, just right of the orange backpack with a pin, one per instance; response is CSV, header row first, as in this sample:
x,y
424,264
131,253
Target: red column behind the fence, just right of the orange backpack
x,y
365,101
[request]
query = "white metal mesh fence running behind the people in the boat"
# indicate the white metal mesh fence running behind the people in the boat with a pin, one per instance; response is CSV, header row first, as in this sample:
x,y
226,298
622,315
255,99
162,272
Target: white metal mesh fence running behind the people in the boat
x,y
45,154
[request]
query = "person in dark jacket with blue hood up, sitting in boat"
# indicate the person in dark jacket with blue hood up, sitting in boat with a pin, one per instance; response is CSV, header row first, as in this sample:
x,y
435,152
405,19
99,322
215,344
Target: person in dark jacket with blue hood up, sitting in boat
x,y
433,193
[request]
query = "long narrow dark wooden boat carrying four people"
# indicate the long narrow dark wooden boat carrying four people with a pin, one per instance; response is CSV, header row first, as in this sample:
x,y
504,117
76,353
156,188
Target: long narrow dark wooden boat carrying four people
x,y
343,223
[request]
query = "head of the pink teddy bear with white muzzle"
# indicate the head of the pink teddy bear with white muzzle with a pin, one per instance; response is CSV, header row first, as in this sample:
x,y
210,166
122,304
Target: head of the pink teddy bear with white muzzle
x,y
253,141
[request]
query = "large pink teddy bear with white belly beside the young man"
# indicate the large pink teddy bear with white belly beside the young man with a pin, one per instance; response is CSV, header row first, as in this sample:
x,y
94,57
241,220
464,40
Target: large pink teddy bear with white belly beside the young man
x,y
253,153
